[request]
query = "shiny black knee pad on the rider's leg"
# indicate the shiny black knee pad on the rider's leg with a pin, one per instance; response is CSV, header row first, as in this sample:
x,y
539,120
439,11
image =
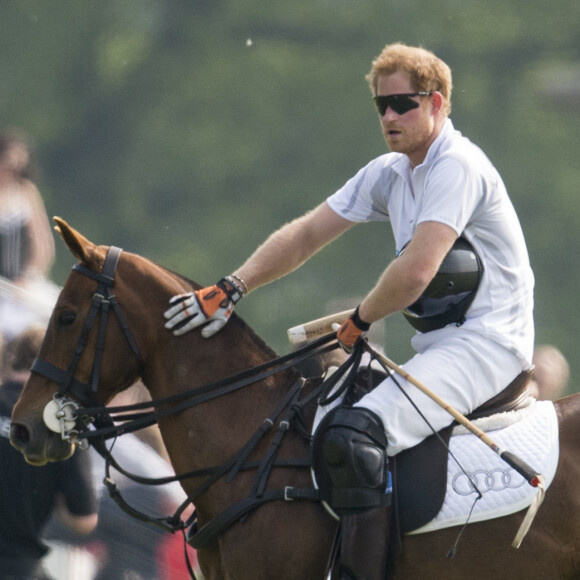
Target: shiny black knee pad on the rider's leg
x,y
349,459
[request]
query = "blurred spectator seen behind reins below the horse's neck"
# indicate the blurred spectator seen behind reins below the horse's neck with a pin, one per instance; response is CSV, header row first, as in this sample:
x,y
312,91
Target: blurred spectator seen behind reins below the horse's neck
x,y
129,548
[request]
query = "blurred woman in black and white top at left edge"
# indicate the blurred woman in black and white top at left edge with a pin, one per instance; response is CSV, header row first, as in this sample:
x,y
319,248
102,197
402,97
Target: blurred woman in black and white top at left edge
x,y
26,243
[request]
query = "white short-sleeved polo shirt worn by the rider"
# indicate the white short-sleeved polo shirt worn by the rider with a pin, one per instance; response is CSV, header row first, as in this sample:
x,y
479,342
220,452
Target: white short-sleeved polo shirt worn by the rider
x,y
458,186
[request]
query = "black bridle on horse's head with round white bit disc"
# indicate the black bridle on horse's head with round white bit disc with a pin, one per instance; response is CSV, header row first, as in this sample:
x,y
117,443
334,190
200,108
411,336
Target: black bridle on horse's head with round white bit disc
x,y
59,414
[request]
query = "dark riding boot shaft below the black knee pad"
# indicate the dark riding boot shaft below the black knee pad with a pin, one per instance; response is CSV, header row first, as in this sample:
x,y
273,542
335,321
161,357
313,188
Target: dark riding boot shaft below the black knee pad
x,y
364,545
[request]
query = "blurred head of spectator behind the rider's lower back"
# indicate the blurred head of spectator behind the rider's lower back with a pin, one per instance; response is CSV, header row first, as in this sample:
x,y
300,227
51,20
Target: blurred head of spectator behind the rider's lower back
x,y
551,373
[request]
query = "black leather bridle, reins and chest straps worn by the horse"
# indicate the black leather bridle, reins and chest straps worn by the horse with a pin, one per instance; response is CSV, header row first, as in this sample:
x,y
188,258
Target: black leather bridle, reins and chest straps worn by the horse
x,y
287,412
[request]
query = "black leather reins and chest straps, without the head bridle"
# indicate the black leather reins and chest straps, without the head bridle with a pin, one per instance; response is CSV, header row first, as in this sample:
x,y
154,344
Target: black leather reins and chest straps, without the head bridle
x,y
259,495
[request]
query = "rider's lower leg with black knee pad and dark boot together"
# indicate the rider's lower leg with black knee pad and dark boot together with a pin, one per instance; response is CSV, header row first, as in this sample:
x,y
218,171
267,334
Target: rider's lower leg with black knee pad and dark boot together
x,y
351,465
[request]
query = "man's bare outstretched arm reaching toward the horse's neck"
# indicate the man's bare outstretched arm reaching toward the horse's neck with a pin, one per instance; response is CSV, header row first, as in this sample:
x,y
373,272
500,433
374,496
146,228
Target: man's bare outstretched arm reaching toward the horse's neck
x,y
292,245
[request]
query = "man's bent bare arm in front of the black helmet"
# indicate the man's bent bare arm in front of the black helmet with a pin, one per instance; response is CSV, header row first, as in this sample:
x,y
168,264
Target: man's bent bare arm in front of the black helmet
x,y
406,277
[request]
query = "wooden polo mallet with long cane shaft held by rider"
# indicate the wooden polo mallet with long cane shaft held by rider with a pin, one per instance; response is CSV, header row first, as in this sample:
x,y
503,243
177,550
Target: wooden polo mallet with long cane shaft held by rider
x,y
322,326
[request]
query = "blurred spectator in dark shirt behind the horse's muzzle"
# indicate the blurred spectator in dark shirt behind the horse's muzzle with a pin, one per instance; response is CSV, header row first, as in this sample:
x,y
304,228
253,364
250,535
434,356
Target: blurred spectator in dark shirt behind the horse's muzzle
x,y
28,494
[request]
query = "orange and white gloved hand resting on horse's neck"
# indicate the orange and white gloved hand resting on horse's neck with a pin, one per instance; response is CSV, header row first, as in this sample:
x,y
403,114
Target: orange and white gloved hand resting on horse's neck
x,y
214,304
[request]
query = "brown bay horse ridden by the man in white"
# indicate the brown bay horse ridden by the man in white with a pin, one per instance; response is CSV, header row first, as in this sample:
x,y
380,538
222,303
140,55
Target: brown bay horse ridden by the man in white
x,y
285,539
